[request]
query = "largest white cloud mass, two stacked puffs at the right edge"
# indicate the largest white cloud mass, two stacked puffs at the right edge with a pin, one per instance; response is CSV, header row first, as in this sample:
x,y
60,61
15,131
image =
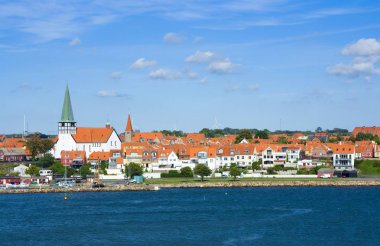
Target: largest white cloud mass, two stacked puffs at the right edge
x,y
366,54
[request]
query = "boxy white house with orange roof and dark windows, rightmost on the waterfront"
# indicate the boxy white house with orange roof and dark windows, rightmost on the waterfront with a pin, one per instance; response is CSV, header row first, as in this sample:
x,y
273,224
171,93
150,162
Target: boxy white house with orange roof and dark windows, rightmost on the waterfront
x,y
343,156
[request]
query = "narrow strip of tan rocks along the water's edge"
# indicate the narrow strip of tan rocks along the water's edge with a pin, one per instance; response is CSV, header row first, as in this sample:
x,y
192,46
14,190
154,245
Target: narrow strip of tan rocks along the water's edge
x,y
154,187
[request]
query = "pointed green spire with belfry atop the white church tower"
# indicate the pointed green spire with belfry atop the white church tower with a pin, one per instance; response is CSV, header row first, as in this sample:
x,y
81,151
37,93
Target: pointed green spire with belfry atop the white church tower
x,y
67,124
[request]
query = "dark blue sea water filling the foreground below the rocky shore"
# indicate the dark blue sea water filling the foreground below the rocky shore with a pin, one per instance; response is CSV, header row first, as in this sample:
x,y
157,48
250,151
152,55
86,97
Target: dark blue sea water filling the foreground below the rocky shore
x,y
220,216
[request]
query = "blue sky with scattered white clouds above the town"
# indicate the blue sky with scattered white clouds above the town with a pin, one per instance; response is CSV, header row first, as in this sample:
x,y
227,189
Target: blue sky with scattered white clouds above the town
x,y
188,65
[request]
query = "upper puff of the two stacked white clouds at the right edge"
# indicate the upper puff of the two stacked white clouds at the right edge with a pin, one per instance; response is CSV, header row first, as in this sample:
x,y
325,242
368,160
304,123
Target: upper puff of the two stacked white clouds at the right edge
x,y
363,47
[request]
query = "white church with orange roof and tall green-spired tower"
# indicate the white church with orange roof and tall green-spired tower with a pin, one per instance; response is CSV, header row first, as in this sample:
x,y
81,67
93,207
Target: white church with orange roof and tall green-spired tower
x,y
88,139
